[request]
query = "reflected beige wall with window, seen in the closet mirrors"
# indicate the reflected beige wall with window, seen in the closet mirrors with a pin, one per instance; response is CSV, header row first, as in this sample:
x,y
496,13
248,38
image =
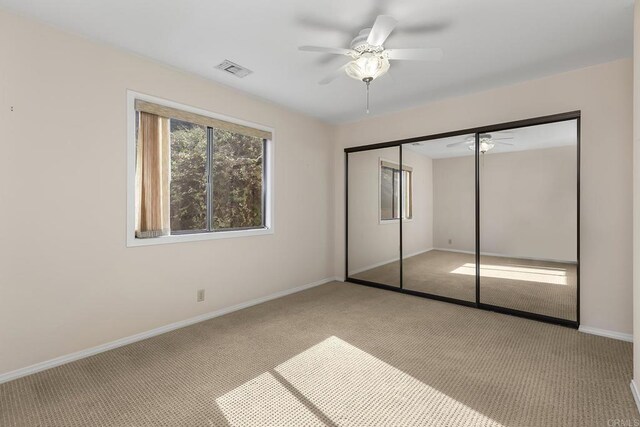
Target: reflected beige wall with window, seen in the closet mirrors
x,y
371,242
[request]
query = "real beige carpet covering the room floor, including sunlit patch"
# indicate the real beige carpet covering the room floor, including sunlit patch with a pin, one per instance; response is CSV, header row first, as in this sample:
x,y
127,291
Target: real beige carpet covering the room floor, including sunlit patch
x,y
340,355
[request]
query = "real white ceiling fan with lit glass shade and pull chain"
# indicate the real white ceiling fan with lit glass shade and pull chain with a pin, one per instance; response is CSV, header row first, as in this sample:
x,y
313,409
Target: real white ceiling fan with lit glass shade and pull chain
x,y
369,58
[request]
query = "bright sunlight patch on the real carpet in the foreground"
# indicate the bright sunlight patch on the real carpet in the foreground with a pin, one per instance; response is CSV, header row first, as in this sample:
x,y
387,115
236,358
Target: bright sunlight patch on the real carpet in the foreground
x,y
346,387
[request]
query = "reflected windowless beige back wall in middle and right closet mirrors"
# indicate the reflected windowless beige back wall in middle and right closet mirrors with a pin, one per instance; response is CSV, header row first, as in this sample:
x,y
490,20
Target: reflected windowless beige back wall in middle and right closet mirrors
x,y
528,204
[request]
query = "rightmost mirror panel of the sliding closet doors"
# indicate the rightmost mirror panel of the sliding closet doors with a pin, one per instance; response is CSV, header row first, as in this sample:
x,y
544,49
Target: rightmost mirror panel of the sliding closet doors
x,y
528,219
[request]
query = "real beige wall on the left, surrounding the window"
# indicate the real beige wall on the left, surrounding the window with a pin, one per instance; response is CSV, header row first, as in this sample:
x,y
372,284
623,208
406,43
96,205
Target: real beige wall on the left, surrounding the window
x,y
67,280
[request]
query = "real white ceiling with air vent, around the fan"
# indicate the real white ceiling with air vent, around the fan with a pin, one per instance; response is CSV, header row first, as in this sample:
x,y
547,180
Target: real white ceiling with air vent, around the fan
x,y
486,43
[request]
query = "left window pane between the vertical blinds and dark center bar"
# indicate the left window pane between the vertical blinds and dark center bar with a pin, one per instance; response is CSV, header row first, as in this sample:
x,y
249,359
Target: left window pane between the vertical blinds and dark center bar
x,y
188,186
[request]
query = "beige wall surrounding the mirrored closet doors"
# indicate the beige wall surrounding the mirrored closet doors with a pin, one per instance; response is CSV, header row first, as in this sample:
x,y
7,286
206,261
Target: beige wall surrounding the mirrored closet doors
x,y
604,94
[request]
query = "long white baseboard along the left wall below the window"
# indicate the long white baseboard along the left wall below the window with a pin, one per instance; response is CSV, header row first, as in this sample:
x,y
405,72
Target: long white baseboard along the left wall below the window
x,y
42,366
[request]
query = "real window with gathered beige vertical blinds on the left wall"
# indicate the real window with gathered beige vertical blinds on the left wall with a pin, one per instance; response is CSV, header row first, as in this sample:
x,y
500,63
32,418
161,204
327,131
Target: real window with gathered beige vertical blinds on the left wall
x,y
197,176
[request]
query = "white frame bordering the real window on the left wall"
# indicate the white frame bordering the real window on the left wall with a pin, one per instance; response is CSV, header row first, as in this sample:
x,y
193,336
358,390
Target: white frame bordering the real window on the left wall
x,y
132,241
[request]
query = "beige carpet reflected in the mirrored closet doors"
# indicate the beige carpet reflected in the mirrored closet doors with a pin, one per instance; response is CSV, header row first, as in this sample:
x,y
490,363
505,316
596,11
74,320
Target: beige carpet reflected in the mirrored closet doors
x,y
541,287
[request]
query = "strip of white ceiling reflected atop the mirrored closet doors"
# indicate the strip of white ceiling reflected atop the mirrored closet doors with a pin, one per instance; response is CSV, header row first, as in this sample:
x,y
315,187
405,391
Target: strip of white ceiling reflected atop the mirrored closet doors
x,y
549,135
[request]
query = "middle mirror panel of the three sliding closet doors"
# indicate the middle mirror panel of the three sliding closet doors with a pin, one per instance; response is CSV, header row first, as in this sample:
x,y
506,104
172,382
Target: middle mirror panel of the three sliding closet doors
x,y
439,238
